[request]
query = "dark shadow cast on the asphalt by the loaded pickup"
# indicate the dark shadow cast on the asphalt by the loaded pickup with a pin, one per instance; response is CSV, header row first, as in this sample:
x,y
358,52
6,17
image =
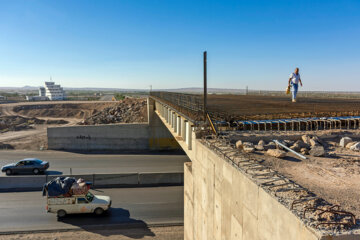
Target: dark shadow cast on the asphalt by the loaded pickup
x,y
115,220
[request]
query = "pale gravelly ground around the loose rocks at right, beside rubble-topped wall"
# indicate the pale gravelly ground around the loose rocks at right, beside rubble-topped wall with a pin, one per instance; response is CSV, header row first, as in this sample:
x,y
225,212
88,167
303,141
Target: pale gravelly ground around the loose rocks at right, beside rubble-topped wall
x,y
334,177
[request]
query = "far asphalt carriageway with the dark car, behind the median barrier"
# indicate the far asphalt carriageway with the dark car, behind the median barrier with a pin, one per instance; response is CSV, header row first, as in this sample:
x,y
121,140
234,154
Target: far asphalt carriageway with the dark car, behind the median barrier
x,y
61,162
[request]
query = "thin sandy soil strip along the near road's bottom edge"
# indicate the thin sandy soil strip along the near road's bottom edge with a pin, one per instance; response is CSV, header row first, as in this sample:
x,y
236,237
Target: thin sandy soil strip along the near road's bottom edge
x,y
158,233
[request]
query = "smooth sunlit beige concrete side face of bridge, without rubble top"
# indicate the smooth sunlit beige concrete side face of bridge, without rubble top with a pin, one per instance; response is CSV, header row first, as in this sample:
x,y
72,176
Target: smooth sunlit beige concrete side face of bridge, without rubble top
x,y
222,202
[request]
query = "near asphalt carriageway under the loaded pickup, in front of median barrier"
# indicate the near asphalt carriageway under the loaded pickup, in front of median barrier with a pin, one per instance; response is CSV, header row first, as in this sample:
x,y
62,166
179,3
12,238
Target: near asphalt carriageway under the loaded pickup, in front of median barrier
x,y
25,211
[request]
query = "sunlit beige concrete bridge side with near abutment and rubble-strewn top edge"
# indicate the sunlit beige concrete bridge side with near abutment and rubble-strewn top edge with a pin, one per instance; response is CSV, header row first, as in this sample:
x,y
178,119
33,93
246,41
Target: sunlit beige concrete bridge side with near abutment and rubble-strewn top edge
x,y
226,196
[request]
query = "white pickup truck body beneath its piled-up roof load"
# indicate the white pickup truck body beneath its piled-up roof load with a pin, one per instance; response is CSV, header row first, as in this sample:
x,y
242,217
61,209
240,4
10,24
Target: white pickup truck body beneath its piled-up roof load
x,y
88,203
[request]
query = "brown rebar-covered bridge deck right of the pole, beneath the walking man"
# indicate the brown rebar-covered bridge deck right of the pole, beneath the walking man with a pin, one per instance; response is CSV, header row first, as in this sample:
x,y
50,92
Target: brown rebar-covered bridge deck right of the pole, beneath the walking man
x,y
250,107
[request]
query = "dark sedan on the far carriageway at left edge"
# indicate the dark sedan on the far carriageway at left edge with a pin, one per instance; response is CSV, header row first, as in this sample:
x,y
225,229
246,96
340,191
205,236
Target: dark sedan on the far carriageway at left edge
x,y
27,165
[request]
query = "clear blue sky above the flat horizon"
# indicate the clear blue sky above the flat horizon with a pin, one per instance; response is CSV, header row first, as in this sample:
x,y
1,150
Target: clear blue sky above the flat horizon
x,y
137,43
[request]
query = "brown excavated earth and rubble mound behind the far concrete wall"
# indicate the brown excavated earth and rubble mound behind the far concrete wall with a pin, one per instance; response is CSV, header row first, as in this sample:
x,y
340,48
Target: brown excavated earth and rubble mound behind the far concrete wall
x,y
23,125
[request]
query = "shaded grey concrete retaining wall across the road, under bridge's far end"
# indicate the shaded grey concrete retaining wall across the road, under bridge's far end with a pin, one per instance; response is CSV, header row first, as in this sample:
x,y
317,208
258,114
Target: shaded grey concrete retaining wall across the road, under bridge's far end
x,y
114,137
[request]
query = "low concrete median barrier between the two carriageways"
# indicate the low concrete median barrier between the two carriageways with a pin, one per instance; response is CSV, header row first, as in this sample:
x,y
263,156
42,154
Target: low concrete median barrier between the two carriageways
x,y
29,183
